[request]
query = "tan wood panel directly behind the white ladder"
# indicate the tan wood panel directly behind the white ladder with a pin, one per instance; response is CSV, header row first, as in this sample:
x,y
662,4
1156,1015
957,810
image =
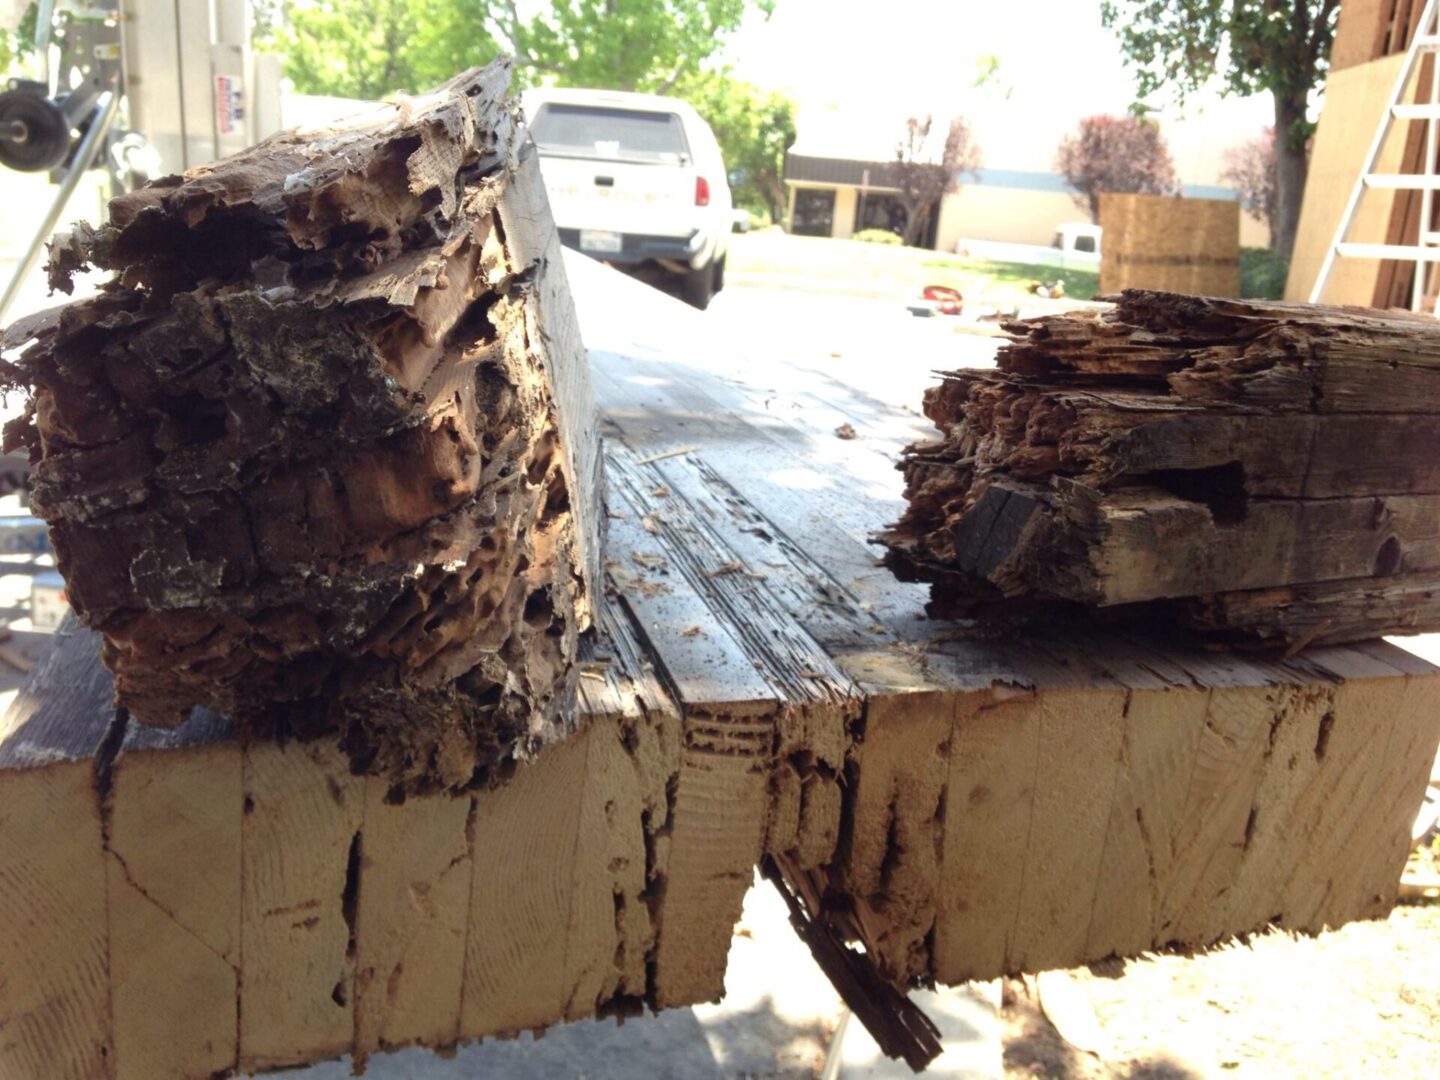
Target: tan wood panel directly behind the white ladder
x,y
1354,104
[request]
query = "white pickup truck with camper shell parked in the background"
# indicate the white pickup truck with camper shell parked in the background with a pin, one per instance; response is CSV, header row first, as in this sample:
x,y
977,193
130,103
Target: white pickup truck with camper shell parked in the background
x,y
636,181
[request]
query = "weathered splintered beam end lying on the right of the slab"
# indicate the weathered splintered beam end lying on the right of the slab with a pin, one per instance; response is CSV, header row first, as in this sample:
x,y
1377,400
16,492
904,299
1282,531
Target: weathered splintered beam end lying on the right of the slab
x,y
1255,472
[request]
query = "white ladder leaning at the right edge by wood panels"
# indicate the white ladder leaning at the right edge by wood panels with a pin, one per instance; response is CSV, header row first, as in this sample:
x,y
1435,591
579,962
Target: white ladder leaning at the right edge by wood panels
x,y
1426,253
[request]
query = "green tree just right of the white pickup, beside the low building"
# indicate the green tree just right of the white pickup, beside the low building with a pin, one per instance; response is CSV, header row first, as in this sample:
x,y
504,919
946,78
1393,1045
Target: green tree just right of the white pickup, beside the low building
x,y
754,127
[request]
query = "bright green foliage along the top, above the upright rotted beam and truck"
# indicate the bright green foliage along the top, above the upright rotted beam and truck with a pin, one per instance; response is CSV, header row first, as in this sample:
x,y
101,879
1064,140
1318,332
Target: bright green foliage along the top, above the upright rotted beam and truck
x,y
371,48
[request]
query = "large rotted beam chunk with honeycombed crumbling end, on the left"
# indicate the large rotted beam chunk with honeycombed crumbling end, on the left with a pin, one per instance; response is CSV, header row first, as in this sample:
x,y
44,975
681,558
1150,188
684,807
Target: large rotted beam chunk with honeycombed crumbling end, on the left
x,y
322,456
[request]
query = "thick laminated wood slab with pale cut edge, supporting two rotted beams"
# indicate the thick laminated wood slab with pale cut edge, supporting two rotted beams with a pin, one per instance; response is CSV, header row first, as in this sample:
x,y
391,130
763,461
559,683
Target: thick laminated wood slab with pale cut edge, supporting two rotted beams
x,y
176,904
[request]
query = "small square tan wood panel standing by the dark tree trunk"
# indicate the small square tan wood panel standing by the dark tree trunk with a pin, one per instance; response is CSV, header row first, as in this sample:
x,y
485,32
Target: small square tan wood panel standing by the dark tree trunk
x,y
1179,246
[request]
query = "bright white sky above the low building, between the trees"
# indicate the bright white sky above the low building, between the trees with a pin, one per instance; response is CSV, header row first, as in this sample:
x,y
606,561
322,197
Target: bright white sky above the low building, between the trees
x,y
858,68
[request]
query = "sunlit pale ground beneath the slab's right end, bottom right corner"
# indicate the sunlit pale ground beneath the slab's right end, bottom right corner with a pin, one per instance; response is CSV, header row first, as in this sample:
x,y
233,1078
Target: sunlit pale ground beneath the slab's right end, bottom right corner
x,y
1360,1003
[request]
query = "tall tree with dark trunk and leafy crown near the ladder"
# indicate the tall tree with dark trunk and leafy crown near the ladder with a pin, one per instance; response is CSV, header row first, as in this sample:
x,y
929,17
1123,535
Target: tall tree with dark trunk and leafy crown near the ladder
x,y
1281,47
